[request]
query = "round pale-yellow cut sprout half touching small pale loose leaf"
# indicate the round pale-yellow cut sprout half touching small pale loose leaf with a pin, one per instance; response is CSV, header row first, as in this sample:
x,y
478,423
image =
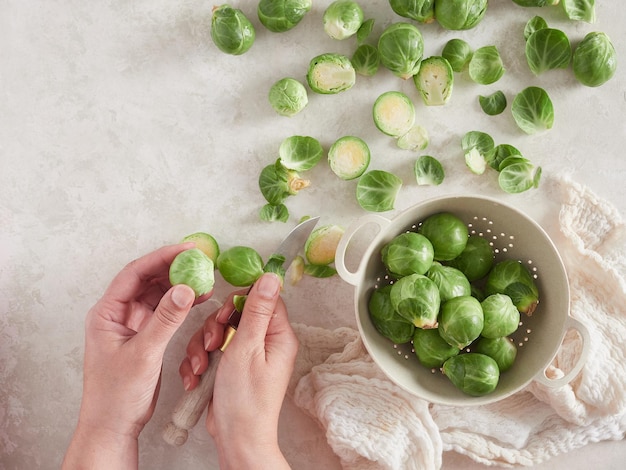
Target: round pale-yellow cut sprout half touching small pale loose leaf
x,y
394,113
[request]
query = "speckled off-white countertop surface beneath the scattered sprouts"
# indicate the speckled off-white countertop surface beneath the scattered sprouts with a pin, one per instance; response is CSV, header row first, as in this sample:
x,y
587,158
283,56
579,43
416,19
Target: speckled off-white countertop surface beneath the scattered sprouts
x,y
122,128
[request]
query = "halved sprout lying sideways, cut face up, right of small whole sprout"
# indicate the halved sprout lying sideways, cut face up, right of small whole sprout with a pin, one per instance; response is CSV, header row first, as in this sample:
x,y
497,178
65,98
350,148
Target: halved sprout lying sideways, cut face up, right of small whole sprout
x,y
330,74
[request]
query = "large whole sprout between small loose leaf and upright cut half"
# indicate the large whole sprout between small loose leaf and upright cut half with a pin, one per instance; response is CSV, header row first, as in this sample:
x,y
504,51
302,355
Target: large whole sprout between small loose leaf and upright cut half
x,y
401,47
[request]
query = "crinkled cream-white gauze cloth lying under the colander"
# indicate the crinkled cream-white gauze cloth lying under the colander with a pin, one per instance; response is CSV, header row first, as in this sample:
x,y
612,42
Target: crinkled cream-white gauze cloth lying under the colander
x,y
372,424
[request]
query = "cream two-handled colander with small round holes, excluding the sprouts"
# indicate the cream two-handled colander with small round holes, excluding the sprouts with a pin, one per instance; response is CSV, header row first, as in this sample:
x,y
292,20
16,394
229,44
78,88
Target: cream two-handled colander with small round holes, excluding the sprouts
x,y
513,235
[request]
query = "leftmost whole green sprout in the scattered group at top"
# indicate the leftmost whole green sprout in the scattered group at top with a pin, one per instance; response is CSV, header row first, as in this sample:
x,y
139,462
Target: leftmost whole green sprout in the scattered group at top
x,y
231,30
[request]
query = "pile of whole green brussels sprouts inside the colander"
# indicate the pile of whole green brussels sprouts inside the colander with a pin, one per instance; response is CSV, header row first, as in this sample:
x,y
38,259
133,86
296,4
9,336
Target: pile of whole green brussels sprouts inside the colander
x,y
453,301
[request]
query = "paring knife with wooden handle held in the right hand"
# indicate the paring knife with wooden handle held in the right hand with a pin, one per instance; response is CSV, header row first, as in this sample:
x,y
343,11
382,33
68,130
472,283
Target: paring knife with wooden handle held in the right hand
x,y
193,403
